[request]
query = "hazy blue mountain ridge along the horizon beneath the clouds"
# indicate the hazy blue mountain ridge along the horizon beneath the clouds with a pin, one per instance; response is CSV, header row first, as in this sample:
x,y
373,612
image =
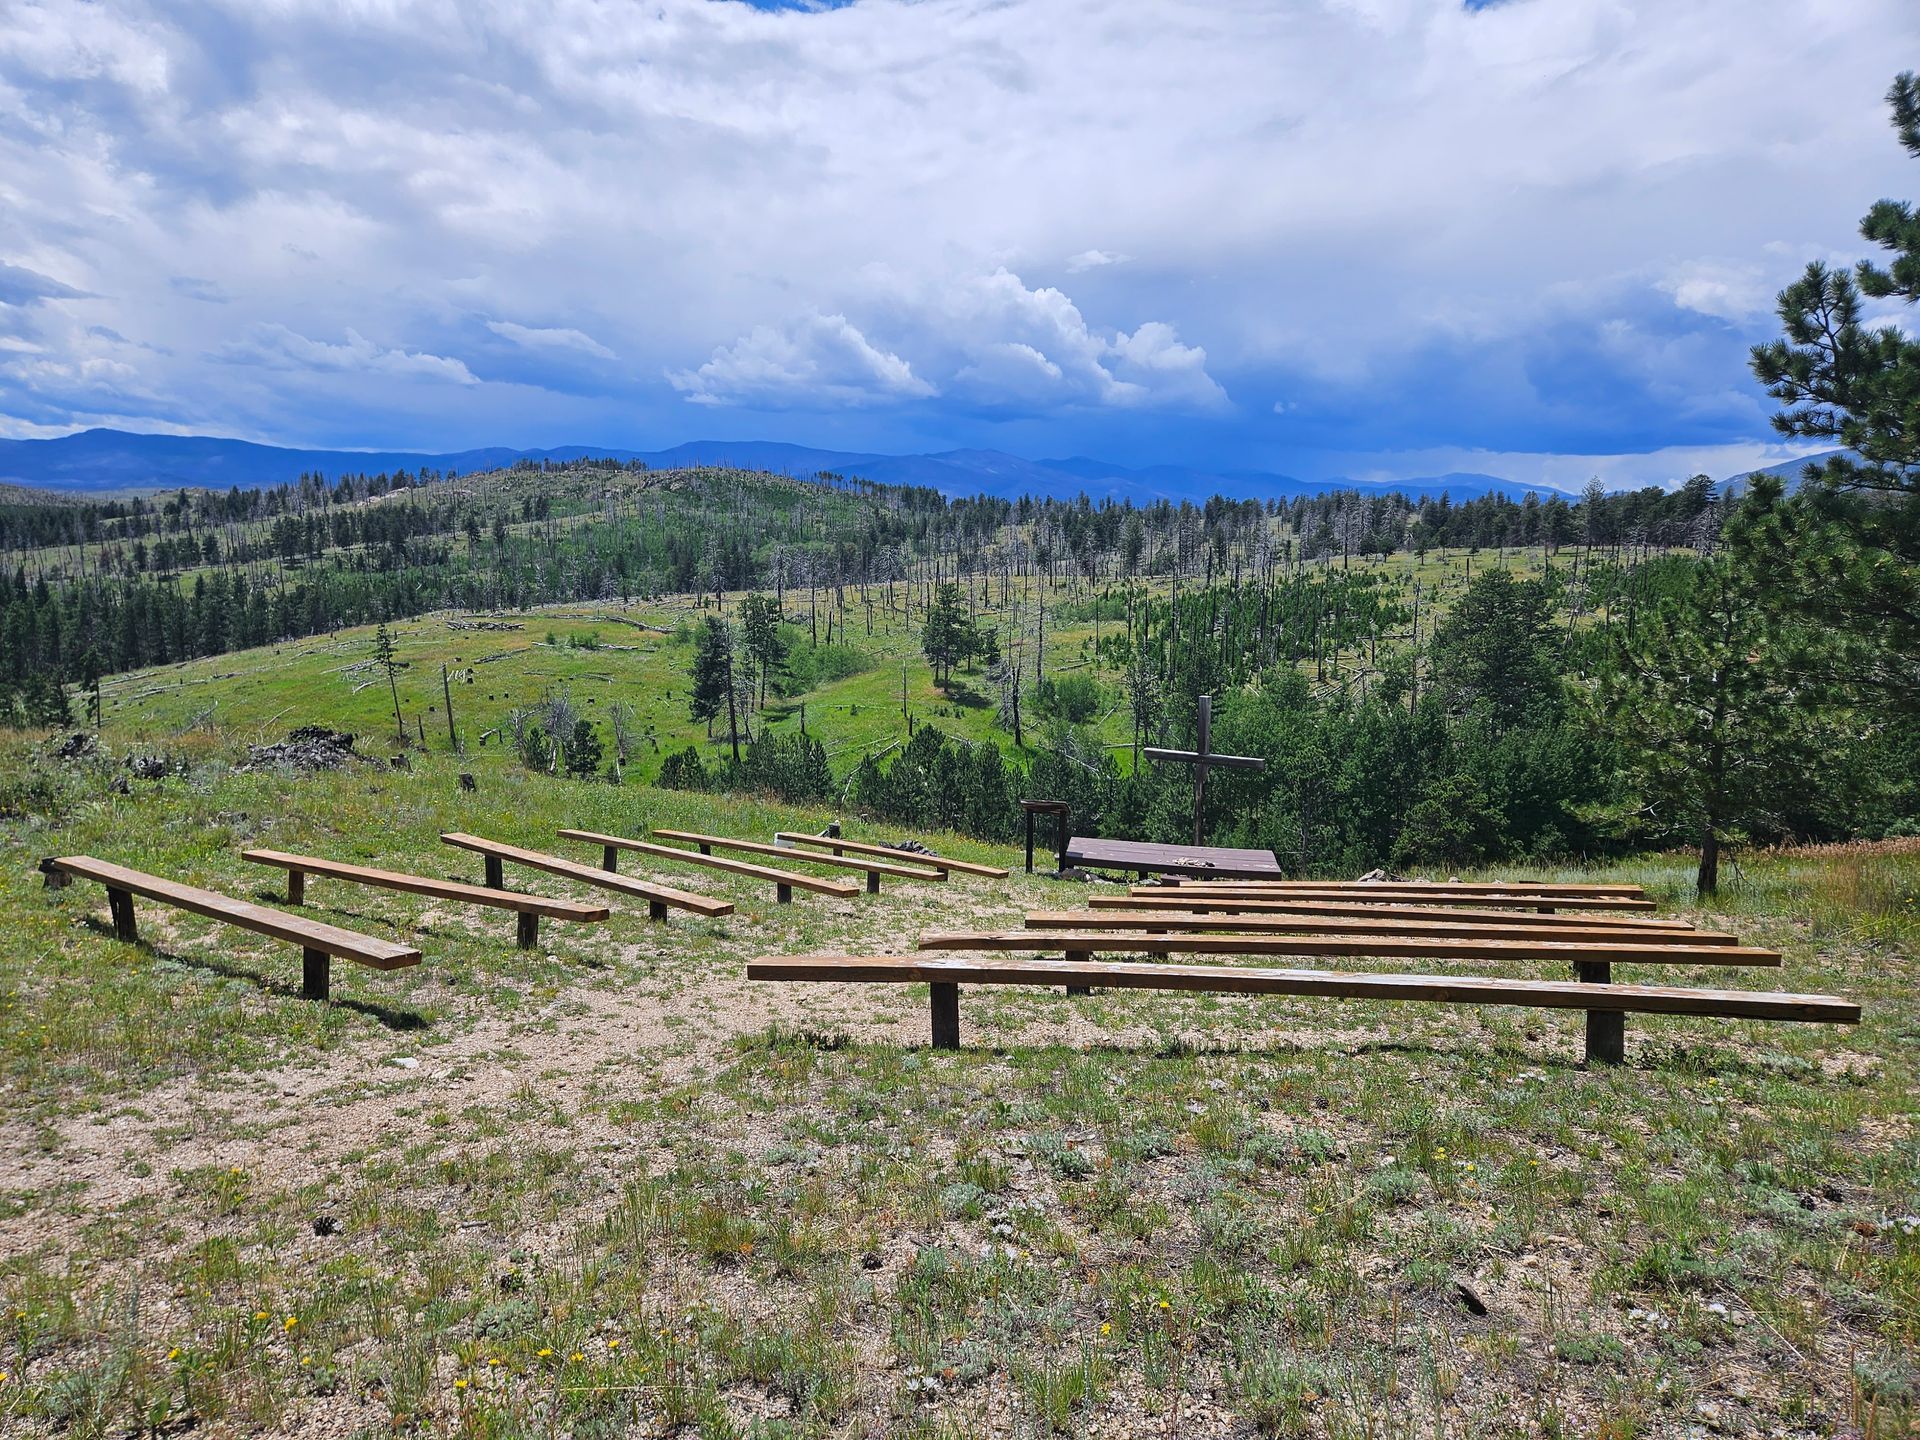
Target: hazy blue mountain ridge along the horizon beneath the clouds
x,y
95,462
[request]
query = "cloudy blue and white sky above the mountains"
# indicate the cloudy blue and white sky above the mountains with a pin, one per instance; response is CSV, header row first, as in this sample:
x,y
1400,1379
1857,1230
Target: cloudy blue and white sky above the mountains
x,y
1326,237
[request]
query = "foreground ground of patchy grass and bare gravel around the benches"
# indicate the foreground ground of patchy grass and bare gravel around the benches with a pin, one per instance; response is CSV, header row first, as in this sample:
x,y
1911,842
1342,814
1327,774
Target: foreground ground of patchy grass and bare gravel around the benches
x,y
610,1188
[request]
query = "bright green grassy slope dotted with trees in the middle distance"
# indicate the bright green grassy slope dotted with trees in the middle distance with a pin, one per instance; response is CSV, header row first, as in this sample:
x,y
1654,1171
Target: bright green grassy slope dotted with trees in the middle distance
x,y
640,654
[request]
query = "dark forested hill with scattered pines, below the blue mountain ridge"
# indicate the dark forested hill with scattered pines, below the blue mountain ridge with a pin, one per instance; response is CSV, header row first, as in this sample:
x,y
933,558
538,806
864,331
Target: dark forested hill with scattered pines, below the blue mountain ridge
x,y
99,588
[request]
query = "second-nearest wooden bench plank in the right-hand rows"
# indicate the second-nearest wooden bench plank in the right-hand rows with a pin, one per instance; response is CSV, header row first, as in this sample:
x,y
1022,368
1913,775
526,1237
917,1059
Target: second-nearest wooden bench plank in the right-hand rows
x,y
1385,948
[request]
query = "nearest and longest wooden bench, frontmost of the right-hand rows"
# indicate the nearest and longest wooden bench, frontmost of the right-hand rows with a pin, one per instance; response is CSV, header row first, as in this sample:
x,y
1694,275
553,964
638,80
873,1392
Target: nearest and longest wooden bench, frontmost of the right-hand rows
x,y
946,978
